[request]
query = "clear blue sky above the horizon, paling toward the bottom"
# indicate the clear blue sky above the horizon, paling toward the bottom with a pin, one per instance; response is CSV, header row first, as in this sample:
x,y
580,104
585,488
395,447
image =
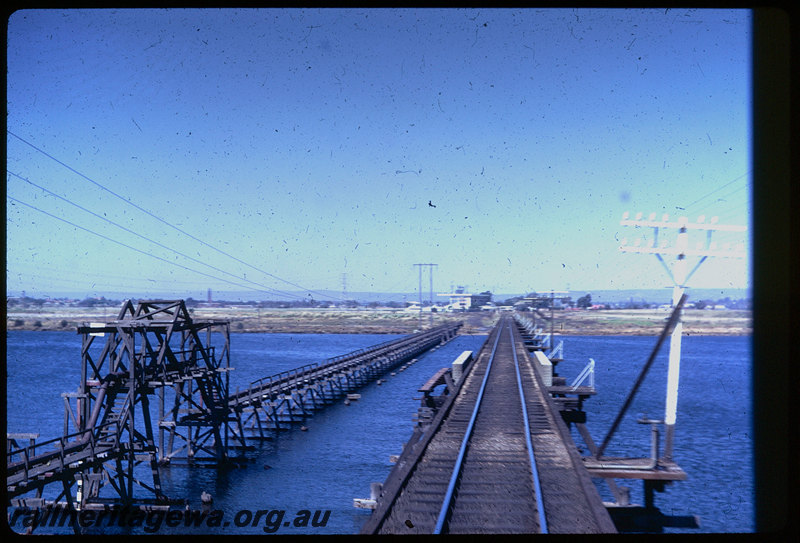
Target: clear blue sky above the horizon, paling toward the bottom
x,y
286,149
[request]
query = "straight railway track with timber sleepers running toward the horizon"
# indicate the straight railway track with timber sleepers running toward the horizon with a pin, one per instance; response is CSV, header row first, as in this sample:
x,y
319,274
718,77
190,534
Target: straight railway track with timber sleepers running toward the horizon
x,y
481,467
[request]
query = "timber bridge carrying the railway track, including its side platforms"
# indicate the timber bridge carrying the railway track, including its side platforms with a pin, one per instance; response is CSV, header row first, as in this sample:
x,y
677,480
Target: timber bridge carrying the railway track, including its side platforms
x,y
492,452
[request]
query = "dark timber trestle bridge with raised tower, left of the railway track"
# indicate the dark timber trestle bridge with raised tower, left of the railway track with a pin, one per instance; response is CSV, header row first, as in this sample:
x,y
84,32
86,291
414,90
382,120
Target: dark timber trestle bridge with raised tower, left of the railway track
x,y
116,437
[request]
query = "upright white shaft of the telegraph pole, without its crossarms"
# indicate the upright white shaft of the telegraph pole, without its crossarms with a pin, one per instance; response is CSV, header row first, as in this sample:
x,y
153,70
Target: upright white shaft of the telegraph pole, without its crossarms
x,y
673,372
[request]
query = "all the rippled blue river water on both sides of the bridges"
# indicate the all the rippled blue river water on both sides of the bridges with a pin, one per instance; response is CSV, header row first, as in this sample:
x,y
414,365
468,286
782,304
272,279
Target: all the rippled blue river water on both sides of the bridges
x,y
348,447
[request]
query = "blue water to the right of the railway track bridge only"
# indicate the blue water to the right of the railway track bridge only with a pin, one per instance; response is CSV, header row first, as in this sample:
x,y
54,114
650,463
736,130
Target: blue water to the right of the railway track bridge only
x,y
713,436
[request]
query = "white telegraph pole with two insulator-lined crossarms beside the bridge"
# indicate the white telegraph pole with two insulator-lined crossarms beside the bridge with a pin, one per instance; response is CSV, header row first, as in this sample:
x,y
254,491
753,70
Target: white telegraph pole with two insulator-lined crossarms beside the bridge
x,y
679,278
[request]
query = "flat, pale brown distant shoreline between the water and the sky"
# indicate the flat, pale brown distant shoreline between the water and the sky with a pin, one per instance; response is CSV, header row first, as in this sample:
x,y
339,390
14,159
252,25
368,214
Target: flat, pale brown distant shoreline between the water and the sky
x,y
633,322
